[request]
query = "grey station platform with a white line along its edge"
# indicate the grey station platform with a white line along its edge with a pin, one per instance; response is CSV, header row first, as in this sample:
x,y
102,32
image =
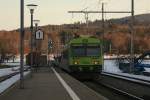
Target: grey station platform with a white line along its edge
x,y
51,84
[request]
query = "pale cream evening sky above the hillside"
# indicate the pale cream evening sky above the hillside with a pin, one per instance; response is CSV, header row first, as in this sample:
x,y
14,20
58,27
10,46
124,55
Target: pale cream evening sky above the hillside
x,y
55,11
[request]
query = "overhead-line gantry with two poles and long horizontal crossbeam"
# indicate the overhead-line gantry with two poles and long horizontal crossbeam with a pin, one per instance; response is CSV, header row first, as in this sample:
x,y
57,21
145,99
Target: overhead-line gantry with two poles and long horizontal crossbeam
x,y
103,26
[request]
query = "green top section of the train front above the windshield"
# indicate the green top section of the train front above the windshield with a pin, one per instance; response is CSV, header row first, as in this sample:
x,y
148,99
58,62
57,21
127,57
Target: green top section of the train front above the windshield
x,y
90,40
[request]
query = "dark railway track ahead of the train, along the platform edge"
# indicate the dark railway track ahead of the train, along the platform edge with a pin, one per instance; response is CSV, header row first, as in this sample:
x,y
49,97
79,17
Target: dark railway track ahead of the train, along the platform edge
x,y
110,92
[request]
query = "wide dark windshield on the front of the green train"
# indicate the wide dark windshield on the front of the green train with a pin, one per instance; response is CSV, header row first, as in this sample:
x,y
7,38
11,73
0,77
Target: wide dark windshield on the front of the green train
x,y
86,51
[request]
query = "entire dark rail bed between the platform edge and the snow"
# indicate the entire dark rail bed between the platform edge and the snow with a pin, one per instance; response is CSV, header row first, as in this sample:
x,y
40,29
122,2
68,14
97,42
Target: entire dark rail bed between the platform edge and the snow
x,y
119,87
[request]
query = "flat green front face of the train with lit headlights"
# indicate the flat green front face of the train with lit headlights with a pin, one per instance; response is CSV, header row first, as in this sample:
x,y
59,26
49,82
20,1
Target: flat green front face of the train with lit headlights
x,y
85,55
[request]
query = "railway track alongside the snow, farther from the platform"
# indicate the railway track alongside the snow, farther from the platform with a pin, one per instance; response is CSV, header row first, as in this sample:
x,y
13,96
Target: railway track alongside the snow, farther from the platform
x,y
137,88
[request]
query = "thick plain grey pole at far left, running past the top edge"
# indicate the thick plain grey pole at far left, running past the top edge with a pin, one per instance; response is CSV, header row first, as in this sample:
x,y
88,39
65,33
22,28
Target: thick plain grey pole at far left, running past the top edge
x,y
21,43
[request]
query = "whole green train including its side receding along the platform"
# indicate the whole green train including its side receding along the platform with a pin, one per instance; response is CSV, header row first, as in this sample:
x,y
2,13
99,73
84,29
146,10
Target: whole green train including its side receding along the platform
x,y
82,55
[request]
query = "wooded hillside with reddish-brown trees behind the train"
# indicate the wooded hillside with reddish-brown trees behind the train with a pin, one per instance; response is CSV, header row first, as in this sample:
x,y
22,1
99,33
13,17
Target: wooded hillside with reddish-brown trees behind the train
x,y
115,30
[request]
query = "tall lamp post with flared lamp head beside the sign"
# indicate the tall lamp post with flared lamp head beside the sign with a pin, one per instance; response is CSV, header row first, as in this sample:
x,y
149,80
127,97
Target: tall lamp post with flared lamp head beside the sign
x,y
31,7
